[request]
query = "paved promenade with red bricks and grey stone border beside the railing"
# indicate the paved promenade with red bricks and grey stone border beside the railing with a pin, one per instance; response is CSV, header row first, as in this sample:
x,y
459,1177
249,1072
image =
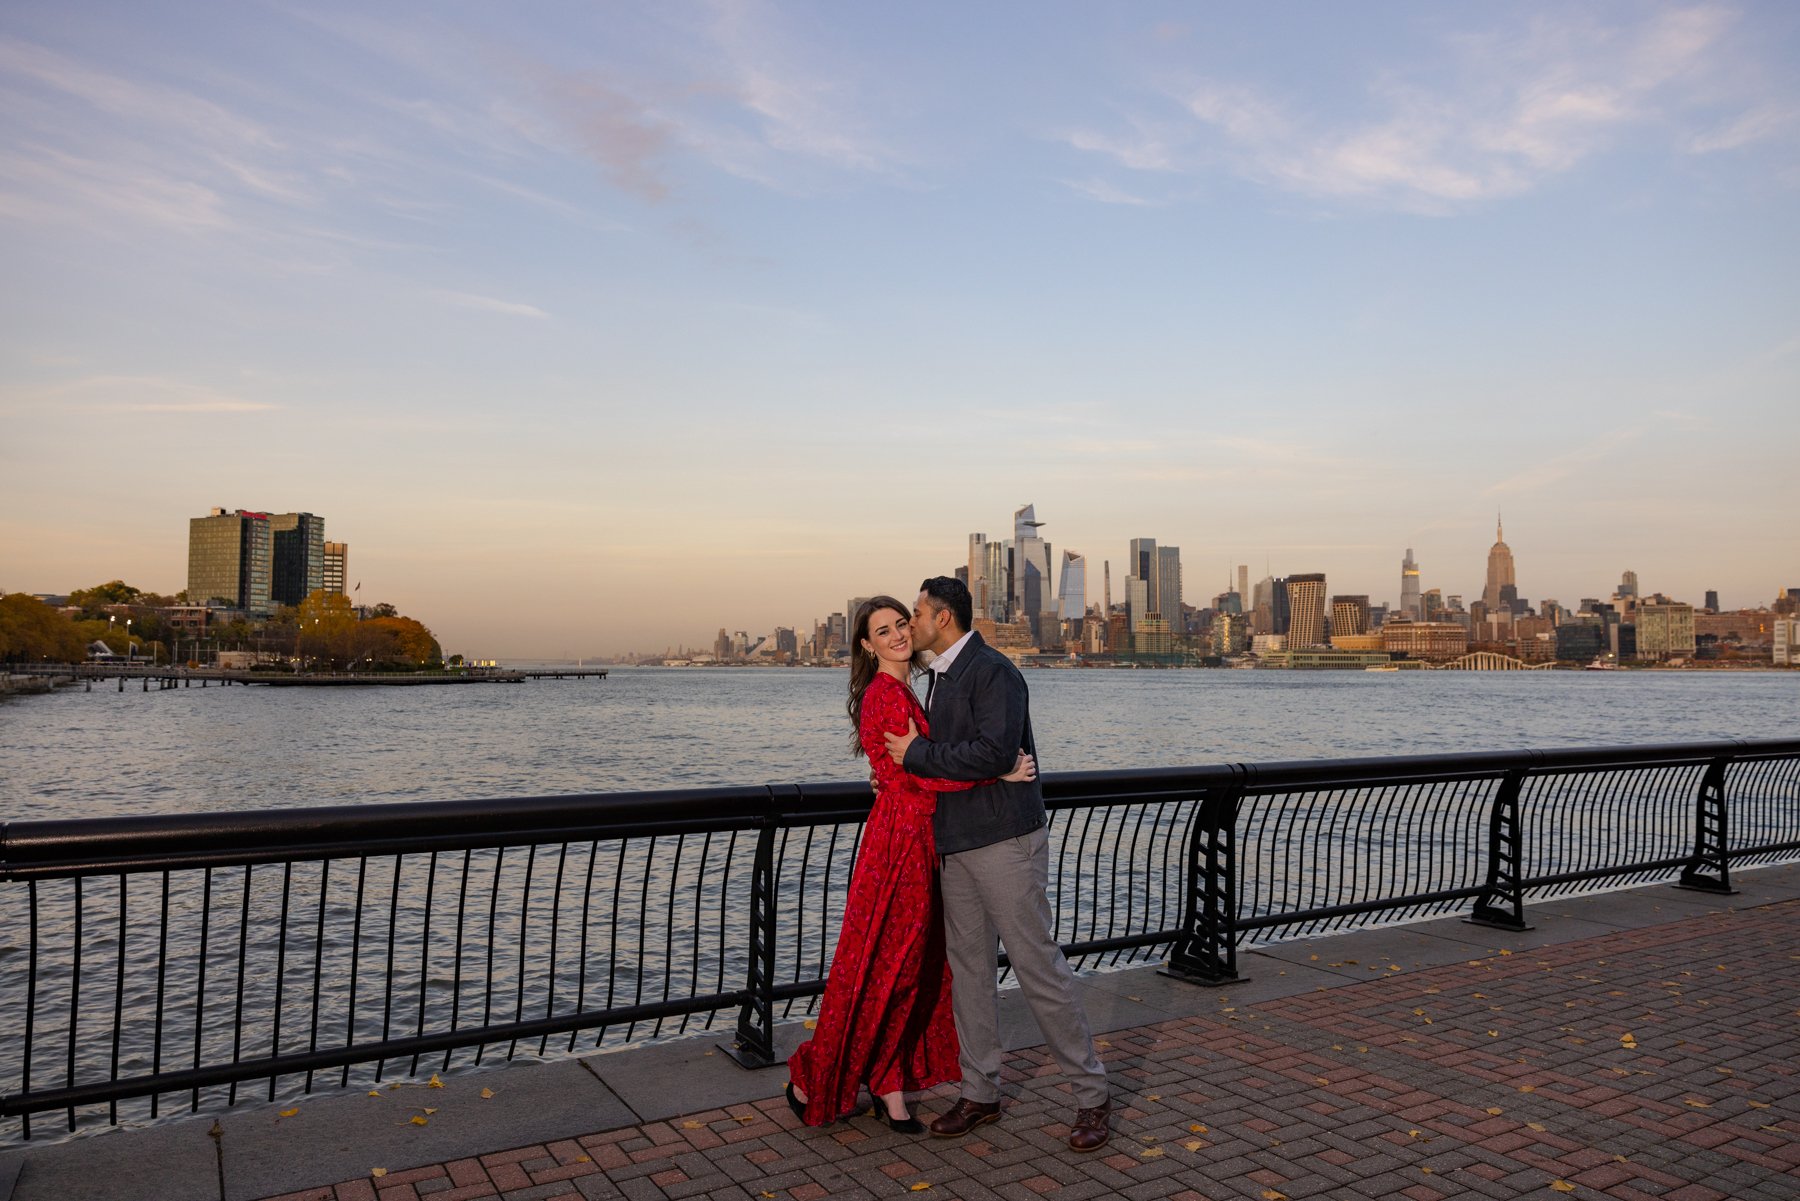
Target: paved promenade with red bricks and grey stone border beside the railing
x,y
1633,1045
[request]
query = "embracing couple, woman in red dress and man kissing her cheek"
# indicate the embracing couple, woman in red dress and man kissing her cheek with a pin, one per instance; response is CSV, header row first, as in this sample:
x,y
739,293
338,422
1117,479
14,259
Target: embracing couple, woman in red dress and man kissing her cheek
x,y
955,858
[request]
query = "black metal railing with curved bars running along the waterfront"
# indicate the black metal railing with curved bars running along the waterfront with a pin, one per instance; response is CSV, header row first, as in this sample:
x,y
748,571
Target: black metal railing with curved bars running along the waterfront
x,y
172,961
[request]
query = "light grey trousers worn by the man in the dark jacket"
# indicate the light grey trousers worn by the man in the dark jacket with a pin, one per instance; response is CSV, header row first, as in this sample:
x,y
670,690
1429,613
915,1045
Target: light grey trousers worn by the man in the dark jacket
x,y
998,892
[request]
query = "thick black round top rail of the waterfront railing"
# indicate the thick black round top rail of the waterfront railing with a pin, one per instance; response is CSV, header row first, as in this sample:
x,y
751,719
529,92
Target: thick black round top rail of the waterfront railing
x,y
100,845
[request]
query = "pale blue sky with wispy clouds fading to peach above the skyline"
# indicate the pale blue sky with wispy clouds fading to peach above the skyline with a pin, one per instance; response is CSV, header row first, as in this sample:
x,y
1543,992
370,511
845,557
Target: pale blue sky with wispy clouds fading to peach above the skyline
x,y
600,327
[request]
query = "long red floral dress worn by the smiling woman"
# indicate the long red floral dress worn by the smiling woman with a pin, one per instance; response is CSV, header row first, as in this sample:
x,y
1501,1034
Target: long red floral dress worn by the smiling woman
x,y
886,1013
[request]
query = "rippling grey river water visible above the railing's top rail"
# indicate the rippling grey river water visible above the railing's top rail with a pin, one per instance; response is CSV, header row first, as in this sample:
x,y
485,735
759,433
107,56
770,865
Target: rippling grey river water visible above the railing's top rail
x,y
201,750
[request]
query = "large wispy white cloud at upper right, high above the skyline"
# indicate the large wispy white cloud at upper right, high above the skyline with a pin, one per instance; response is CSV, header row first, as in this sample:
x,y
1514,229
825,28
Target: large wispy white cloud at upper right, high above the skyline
x,y
1516,111
